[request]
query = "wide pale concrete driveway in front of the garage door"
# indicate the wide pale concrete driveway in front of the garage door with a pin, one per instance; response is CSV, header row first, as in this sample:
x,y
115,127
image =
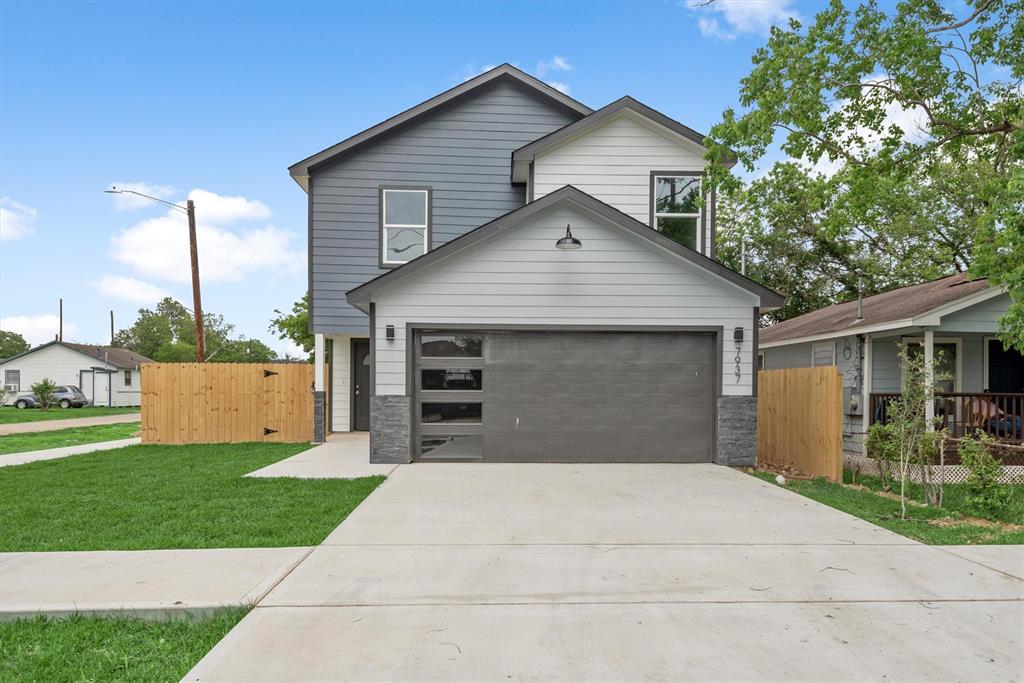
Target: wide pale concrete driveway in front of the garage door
x,y
622,573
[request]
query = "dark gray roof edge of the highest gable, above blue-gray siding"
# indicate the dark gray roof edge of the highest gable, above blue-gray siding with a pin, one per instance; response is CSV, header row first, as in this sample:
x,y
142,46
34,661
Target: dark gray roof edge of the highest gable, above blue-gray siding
x,y
505,71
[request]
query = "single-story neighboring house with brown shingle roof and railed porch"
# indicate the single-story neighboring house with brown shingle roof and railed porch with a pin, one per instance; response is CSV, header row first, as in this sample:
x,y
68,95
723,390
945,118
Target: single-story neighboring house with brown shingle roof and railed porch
x,y
954,321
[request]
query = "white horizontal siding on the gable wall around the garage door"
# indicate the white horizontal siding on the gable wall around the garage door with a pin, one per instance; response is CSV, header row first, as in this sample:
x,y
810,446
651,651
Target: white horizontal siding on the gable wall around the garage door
x,y
519,278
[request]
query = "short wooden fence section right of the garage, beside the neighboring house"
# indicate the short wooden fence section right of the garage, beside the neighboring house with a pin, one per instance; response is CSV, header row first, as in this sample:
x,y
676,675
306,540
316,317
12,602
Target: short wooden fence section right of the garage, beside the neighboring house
x,y
800,420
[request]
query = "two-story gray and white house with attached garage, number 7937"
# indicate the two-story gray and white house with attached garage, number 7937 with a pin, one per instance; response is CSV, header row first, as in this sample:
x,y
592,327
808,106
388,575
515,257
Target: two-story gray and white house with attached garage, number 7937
x,y
457,329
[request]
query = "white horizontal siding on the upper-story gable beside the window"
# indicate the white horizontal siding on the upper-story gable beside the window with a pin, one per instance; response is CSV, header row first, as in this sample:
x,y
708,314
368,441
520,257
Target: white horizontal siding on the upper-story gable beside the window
x,y
614,163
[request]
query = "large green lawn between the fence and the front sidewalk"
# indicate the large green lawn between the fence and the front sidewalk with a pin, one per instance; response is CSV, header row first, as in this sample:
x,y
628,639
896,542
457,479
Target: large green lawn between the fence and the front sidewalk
x,y
152,497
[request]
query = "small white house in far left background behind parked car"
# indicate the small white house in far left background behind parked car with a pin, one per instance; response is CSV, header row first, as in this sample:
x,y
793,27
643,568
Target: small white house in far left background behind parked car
x,y
108,376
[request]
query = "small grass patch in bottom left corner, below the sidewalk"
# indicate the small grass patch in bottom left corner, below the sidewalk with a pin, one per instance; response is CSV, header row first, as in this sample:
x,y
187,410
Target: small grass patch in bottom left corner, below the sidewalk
x,y
107,649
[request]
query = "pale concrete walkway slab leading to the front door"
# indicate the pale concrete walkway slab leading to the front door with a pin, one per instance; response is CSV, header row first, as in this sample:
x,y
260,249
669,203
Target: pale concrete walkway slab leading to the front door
x,y
344,457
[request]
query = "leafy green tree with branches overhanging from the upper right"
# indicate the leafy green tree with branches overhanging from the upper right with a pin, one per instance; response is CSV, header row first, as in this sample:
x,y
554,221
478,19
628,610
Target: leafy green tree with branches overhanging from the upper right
x,y
897,101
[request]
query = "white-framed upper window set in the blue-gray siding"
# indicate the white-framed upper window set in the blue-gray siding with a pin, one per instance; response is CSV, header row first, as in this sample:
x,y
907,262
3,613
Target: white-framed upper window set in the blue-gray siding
x,y
405,225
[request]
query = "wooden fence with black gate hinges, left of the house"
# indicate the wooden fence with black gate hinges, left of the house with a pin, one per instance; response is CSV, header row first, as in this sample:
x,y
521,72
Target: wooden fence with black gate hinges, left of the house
x,y
211,403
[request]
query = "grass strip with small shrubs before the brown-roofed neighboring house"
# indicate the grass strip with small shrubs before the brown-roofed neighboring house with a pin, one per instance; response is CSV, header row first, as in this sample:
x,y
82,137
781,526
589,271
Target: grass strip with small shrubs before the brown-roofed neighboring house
x,y
952,525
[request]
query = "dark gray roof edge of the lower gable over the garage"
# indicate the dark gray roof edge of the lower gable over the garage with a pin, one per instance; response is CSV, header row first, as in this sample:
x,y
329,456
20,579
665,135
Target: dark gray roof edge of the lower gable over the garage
x,y
363,293
